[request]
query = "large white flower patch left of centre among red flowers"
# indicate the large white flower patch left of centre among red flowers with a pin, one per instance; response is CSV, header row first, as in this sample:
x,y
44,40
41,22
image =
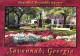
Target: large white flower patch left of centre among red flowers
x,y
22,37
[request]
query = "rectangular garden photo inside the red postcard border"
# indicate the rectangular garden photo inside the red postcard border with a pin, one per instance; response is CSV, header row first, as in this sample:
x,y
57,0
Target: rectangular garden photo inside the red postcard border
x,y
40,26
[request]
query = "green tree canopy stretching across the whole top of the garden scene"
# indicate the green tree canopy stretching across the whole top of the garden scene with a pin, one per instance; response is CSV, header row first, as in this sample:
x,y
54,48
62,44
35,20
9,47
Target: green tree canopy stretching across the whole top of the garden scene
x,y
28,13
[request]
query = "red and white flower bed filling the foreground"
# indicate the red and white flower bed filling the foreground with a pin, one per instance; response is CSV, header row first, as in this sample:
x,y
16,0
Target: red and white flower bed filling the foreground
x,y
38,39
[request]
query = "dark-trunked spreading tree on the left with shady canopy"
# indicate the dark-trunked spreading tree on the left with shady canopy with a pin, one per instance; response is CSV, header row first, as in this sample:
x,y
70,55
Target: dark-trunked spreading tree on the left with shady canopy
x,y
20,11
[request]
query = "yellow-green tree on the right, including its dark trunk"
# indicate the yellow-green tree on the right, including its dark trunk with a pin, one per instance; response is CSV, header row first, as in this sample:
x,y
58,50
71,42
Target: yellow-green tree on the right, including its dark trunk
x,y
63,11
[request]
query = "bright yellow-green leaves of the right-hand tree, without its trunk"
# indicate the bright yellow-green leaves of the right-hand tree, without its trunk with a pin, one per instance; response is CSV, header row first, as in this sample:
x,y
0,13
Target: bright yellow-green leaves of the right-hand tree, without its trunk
x,y
68,11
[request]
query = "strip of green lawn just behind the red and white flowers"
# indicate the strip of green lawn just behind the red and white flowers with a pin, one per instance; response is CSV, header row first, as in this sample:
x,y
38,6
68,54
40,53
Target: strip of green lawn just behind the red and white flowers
x,y
71,32
